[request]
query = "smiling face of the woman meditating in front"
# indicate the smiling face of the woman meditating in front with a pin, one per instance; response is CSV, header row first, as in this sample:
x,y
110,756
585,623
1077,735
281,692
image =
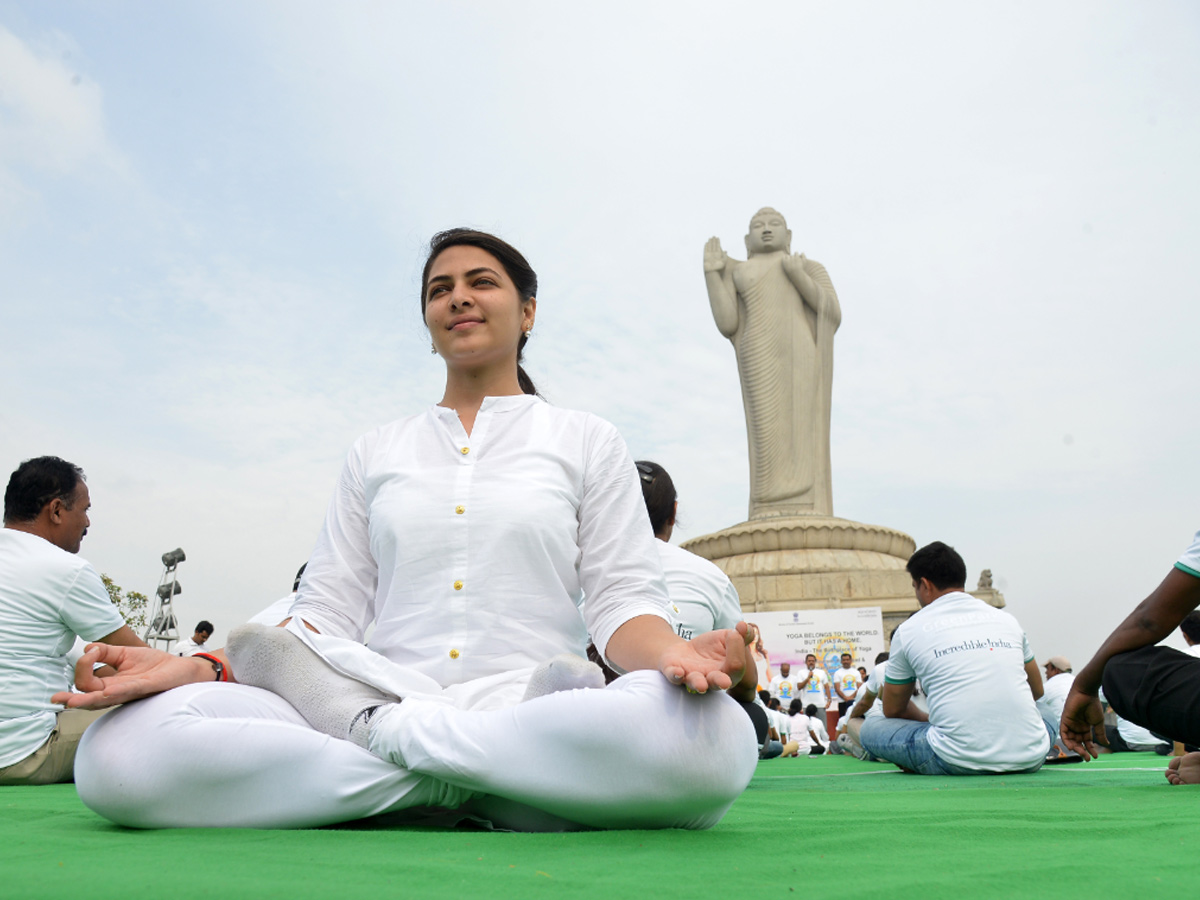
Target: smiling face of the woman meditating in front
x,y
472,309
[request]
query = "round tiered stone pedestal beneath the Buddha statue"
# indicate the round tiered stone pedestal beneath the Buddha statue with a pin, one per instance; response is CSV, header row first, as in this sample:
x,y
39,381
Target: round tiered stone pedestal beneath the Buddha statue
x,y
819,563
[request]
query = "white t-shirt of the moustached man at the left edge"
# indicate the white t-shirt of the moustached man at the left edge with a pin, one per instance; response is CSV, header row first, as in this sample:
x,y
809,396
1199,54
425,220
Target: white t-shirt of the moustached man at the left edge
x,y
47,597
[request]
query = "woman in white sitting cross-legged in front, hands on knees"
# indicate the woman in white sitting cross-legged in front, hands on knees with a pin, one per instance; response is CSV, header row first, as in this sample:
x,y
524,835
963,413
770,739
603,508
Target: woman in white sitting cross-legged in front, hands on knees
x,y
470,536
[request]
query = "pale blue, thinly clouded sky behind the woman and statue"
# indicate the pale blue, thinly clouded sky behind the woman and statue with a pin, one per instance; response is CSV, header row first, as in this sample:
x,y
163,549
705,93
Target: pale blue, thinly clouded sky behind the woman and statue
x,y
213,220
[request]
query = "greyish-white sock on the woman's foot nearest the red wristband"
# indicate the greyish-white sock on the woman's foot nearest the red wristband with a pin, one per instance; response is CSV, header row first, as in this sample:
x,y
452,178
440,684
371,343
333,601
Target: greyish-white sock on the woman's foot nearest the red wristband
x,y
281,663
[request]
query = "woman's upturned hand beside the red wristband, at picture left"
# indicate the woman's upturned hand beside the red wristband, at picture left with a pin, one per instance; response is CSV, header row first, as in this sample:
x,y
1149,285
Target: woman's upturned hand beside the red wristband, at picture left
x,y
141,671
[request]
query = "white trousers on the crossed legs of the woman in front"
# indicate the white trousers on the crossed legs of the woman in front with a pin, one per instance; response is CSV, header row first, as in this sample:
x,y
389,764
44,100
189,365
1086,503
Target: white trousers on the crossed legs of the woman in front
x,y
639,754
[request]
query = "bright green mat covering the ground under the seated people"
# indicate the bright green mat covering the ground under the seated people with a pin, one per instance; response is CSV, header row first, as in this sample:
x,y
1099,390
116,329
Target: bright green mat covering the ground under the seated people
x,y
829,826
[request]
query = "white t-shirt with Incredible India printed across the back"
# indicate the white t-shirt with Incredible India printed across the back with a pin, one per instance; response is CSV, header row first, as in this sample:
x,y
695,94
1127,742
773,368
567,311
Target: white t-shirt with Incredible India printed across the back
x,y
970,659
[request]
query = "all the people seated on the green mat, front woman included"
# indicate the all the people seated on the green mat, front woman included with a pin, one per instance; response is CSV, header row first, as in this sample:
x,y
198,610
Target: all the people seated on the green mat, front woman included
x,y
433,659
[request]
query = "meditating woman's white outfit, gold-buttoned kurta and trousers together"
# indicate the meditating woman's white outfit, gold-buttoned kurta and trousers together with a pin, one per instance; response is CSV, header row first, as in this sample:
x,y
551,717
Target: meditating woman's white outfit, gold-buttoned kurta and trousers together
x,y
472,557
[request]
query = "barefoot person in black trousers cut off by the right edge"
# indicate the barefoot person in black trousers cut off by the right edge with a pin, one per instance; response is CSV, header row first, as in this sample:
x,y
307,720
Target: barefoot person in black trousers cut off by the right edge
x,y
1157,688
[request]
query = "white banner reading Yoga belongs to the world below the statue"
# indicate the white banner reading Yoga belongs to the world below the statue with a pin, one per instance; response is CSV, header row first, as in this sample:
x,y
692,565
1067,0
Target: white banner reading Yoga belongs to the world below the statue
x,y
791,637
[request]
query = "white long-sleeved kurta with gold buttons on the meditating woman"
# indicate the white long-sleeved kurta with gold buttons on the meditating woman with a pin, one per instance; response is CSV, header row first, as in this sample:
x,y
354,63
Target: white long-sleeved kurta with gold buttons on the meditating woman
x,y
473,554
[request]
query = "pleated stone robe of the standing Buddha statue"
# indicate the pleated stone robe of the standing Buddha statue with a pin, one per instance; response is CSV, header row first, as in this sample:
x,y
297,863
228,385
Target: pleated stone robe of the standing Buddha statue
x,y
785,361
